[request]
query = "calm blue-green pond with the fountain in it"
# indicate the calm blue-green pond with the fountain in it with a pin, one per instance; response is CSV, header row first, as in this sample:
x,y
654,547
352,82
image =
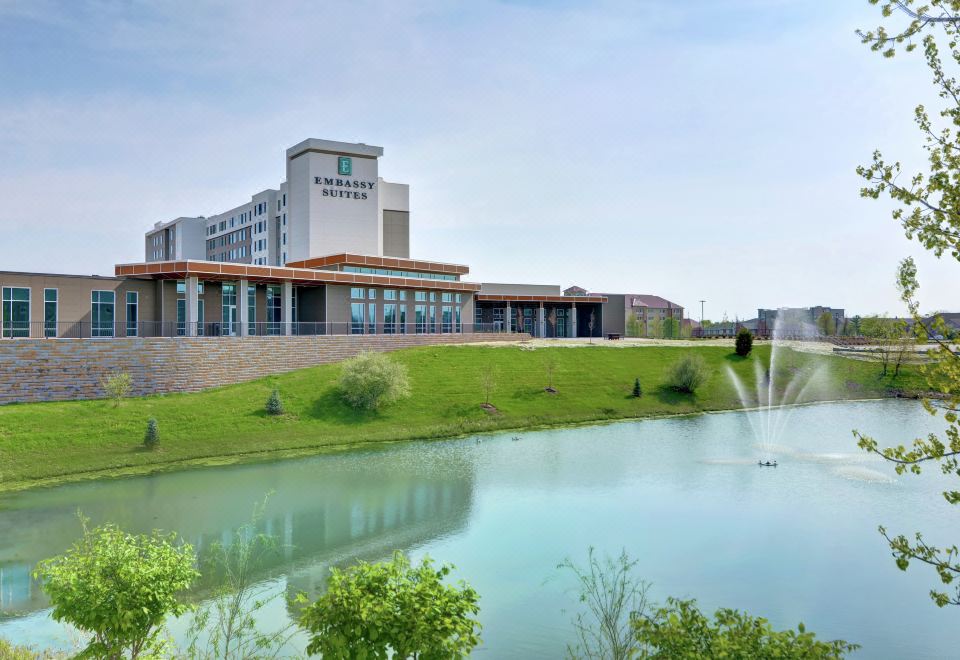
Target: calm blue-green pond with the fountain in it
x,y
684,496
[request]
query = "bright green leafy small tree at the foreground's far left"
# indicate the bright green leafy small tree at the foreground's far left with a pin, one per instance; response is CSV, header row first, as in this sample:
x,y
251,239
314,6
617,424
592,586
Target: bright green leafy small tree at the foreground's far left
x,y
119,587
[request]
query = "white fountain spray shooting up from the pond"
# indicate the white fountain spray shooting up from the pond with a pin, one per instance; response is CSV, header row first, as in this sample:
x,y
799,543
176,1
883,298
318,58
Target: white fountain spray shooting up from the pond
x,y
776,391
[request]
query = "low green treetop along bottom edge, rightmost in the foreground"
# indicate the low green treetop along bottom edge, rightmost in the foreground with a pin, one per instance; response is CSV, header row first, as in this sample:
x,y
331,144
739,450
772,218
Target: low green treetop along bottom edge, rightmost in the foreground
x,y
679,631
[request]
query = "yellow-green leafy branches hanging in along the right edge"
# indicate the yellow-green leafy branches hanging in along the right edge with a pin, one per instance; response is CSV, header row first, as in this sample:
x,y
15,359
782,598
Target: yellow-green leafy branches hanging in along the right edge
x,y
927,204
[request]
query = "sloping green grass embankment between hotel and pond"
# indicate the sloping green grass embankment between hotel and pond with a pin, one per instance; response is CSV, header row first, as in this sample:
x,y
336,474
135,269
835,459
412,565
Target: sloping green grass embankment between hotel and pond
x,y
51,442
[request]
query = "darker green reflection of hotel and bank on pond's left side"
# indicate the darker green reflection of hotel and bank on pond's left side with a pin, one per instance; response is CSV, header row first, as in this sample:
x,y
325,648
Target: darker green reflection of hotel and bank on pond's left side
x,y
324,511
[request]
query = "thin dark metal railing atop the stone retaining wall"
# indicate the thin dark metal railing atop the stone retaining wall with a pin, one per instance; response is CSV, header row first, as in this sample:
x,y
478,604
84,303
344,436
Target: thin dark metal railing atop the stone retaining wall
x,y
119,329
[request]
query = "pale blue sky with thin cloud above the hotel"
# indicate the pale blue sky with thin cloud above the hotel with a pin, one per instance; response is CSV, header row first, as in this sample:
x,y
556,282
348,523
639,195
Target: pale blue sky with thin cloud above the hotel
x,y
697,150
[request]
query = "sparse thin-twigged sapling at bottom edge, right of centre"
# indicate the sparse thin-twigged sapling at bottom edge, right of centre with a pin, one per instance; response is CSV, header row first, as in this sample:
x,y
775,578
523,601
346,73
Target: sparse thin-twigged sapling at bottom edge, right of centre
x,y
613,597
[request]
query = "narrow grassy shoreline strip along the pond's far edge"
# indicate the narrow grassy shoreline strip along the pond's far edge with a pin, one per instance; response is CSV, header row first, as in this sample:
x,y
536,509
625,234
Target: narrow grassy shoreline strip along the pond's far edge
x,y
245,458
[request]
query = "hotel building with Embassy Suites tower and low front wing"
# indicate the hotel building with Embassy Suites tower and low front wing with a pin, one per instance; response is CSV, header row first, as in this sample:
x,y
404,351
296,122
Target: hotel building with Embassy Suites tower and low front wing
x,y
326,252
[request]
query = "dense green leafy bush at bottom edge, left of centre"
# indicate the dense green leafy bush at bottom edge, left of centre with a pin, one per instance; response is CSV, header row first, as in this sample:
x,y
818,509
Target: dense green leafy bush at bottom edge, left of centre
x,y
371,609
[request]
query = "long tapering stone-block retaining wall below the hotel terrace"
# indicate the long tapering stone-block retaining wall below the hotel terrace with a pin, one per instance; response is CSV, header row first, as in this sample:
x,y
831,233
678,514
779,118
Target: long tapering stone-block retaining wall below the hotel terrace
x,y
64,369
